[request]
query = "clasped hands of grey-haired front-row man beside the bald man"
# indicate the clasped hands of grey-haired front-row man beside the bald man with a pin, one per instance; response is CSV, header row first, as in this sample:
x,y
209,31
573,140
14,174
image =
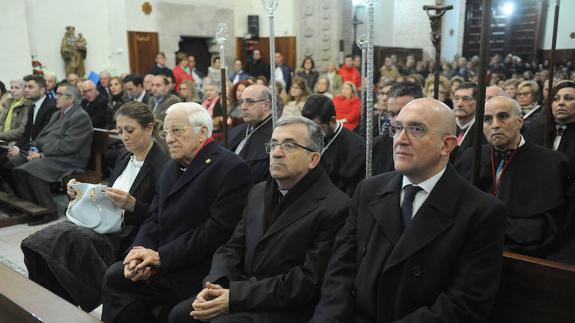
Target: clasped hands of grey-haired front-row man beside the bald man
x,y
211,302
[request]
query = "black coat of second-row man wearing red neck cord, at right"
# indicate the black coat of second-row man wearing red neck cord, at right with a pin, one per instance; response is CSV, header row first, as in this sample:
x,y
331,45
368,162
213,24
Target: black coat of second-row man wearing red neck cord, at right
x,y
534,187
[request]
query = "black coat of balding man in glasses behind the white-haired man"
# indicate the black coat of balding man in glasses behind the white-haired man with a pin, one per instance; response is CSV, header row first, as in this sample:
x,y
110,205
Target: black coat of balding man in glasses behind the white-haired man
x,y
254,152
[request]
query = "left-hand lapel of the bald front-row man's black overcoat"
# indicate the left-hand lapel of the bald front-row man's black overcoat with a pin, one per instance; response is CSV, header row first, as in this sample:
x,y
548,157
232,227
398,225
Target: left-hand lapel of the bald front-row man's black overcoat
x,y
385,209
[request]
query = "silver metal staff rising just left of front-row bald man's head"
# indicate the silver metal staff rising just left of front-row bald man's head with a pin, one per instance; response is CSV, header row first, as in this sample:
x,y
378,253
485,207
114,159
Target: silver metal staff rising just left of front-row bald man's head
x,y
369,88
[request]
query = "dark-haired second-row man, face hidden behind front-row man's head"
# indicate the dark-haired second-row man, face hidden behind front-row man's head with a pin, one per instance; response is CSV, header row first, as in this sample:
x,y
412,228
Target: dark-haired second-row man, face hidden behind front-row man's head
x,y
343,155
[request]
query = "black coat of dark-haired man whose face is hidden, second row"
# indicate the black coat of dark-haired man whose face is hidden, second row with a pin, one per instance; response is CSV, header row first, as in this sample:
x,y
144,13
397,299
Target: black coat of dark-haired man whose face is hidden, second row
x,y
344,161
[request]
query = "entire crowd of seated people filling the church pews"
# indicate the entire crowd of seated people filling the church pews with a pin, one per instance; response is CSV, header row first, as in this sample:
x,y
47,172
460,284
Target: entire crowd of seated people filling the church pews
x,y
203,224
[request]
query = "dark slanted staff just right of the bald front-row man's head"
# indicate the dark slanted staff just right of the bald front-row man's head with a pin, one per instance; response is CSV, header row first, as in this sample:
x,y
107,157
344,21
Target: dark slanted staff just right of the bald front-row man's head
x,y
479,111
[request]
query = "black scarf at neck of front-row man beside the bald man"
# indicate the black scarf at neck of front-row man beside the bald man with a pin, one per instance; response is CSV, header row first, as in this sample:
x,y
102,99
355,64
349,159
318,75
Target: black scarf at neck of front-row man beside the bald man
x,y
275,203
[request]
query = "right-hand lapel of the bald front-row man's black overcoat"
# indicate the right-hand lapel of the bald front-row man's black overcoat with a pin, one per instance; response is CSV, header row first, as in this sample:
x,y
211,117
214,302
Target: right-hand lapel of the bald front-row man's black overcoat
x,y
433,218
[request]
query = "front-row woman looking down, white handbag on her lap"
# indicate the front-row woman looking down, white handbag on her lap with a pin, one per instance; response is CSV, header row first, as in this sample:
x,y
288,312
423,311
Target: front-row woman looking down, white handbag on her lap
x,y
70,260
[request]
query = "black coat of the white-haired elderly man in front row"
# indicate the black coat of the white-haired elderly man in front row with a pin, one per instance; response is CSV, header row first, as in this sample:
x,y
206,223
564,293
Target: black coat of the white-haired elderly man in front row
x,y
194,213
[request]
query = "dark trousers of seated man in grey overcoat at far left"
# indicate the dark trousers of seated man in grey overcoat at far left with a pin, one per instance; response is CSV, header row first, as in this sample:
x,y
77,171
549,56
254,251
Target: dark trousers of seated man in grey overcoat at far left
x,y
33,189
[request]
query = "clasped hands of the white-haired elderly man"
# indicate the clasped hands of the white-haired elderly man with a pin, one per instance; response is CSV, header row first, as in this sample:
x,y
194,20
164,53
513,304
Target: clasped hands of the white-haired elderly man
x,y
140,263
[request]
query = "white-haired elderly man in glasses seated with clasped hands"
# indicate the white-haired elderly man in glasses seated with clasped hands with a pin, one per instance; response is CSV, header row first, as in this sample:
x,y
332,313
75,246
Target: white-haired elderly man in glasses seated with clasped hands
x,y
199,201
